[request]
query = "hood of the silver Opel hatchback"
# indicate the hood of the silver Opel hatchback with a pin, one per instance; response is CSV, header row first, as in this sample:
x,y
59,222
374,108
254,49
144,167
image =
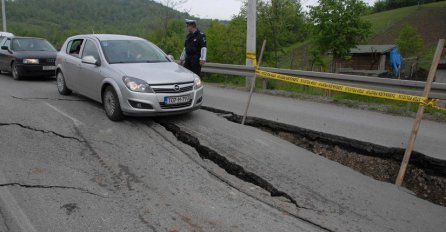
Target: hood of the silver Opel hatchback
x,y
156,73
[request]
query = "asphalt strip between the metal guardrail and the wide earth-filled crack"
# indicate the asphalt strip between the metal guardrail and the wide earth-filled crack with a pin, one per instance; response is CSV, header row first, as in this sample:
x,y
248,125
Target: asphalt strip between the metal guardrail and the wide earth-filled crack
x,y
368,126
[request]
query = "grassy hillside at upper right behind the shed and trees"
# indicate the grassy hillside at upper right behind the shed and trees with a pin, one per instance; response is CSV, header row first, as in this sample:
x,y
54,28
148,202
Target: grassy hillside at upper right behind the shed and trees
x,y
429,20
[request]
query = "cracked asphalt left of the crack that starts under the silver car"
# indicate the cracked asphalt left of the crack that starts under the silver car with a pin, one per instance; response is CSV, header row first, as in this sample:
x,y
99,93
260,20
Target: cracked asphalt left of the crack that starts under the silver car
x,y
66,167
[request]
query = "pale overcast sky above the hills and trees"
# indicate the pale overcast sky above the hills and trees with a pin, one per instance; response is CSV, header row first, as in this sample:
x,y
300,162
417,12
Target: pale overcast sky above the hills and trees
x,y
223,9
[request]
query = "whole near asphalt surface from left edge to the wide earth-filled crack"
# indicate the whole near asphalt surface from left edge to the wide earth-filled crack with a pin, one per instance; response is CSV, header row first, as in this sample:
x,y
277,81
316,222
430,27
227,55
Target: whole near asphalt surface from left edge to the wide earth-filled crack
x,y
66,167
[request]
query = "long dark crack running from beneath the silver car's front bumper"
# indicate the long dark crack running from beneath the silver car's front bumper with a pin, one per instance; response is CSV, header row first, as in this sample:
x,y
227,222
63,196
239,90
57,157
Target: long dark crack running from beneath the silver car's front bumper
x,y
235,169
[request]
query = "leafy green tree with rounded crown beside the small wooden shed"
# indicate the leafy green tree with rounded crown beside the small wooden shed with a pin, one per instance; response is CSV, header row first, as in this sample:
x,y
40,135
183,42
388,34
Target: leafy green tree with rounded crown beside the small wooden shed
x,y
337,26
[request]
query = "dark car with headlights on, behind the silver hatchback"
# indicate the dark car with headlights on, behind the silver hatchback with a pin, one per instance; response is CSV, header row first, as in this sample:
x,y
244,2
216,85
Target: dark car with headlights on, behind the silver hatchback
x,y
27,57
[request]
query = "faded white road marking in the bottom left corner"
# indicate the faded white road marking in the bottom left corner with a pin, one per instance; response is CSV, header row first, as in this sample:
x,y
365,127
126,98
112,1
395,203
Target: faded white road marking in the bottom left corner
x,y
13,209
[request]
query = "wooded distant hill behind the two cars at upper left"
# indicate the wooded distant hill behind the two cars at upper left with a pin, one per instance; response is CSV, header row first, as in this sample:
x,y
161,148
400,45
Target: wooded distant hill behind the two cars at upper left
x,y
58,19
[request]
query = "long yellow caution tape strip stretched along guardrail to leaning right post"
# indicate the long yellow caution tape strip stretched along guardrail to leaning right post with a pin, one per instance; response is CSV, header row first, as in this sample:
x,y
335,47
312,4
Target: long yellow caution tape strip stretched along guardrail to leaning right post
x,y
353,90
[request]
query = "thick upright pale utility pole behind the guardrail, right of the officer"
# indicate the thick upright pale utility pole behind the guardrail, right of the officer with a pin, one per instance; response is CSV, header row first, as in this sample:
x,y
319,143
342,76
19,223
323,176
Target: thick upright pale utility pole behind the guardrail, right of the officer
x,y
251,36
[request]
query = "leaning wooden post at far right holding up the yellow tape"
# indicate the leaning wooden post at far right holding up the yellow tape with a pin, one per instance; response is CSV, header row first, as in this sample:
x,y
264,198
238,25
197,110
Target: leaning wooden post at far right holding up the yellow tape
x,y
416,126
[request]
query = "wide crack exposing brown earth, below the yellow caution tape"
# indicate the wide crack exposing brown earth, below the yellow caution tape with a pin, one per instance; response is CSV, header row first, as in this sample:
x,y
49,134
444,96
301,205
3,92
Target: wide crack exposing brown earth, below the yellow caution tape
x,y
426,175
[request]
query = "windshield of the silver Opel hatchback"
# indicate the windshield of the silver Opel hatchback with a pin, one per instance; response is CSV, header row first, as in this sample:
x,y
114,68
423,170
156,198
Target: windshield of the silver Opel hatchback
x,y
132,51
